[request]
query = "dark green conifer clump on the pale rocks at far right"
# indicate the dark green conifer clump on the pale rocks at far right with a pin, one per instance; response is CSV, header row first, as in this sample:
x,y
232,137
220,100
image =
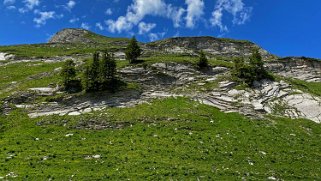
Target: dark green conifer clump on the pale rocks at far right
x,y
250,71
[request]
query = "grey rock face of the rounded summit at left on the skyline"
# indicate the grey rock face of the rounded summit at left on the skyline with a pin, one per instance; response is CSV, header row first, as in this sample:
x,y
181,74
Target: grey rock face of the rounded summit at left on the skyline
x,y
71,36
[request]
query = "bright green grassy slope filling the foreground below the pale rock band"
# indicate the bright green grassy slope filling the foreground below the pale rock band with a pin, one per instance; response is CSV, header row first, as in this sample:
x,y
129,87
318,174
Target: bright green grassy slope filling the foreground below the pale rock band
x,y
172,139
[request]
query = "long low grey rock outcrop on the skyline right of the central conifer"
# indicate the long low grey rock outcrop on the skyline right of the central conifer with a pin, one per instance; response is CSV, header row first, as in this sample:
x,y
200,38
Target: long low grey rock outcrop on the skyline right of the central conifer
x,y
213,46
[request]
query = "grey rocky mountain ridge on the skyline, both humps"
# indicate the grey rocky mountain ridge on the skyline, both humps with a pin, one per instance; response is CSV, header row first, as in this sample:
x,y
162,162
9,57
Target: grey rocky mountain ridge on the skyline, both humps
x,y
213,46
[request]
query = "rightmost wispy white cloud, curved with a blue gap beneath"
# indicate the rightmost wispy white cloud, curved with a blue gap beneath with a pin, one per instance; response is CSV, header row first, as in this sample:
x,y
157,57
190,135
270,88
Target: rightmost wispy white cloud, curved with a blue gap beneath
x,y
236,8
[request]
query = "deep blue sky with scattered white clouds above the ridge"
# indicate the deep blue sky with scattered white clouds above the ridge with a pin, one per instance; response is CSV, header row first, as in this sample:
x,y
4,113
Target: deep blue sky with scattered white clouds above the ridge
x,y
283,27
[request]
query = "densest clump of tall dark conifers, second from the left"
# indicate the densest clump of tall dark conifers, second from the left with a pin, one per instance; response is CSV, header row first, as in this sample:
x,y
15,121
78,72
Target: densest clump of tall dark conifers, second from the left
x,y
101,74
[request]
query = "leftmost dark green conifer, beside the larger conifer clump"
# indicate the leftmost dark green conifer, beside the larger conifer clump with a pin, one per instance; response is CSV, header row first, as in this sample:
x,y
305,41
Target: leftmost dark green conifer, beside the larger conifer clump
x,y
69,77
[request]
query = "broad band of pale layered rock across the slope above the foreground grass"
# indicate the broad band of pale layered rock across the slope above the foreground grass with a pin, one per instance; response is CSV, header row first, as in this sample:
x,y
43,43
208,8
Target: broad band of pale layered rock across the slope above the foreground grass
x,y
162,80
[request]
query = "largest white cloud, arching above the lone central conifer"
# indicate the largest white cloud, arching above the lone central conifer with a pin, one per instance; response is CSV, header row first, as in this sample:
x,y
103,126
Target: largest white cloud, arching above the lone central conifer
x,y
141,8
